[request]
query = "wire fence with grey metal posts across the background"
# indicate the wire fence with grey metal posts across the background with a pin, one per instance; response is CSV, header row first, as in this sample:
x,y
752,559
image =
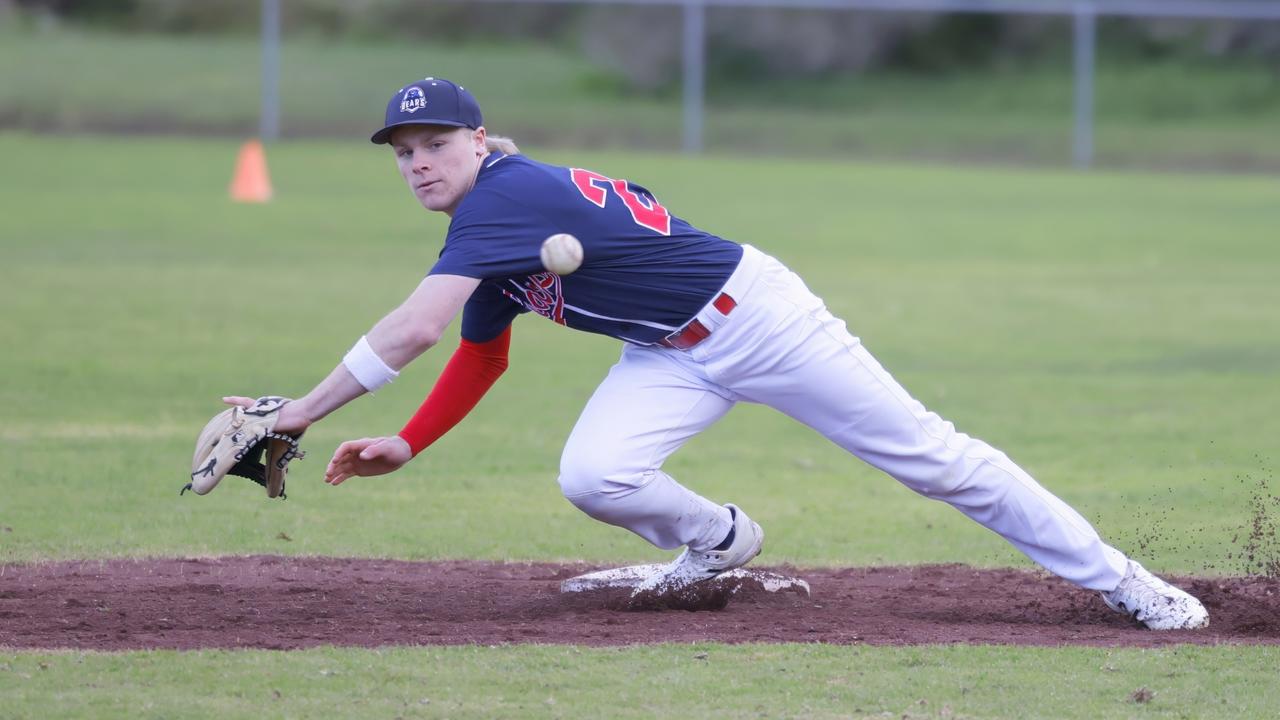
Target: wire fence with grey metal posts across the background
x,y
1046,83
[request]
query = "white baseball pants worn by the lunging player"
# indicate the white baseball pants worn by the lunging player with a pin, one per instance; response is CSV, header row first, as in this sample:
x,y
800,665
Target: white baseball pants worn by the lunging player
x,y
781,348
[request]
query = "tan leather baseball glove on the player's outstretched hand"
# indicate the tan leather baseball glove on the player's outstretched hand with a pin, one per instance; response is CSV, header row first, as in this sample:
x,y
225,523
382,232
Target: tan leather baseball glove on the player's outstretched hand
x,y
235,443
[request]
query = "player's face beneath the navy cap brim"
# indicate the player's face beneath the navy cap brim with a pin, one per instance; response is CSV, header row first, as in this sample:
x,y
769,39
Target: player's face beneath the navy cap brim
x,y
440,163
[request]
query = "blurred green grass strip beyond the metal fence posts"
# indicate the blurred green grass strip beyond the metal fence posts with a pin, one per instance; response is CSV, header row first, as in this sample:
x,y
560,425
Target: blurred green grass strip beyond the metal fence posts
x,y
1163,115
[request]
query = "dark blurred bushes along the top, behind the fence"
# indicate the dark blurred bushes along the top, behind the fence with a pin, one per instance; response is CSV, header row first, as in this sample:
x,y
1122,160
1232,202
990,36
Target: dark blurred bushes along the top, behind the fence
x,y
639,48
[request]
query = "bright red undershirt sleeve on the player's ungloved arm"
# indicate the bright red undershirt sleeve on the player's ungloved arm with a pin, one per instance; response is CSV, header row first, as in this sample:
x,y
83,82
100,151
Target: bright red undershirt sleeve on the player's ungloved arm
x,y
465,380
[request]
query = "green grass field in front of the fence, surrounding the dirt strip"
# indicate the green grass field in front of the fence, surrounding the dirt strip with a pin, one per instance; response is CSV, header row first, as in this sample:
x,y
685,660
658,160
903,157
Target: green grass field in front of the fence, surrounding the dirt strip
x,y
1118,335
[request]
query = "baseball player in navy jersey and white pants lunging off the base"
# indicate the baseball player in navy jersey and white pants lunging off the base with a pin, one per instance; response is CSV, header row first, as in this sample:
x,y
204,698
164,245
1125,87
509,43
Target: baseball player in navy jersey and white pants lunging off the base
x,y
705,323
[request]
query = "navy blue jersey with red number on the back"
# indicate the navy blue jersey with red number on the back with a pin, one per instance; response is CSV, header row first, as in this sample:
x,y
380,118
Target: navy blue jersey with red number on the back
x,y
646,274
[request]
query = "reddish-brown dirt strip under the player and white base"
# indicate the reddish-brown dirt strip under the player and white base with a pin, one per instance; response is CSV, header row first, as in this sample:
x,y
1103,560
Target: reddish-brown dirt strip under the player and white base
x,y
292,603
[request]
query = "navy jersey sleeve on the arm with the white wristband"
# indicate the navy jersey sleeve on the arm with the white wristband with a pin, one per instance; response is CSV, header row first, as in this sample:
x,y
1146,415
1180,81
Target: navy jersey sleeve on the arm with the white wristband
x,y
493,236
